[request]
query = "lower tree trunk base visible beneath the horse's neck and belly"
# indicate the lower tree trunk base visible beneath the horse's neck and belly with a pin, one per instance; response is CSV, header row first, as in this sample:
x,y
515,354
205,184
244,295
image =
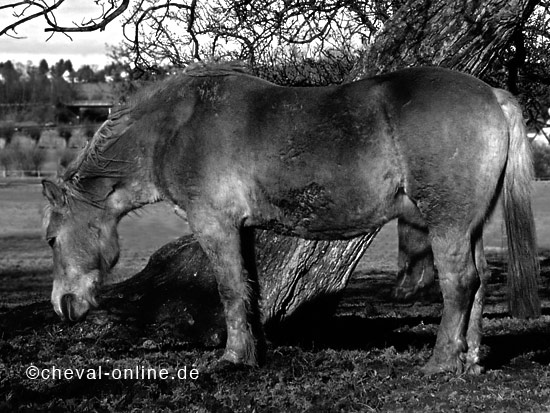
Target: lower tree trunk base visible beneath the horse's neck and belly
x,y
178,284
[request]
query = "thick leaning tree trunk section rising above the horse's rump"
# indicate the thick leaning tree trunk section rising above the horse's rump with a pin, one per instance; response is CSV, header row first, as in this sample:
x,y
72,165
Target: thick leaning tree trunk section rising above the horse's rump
x,y
461,35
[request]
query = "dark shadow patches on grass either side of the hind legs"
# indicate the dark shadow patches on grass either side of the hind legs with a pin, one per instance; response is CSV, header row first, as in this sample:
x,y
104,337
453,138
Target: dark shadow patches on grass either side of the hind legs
x,y
416,333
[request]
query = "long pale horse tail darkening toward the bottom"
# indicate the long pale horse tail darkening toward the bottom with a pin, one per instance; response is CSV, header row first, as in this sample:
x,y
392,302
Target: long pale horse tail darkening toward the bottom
x,y
523,267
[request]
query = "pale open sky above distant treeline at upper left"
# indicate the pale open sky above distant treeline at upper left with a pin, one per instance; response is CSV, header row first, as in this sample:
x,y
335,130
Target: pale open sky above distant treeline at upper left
x,y
84,49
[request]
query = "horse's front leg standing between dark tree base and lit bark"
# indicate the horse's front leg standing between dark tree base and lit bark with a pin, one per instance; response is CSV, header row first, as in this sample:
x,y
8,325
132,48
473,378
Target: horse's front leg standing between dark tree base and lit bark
x,y
222,243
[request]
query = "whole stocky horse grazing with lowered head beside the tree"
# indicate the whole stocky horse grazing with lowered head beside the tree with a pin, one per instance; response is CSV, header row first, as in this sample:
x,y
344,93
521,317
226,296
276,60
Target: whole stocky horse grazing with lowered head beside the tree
x,y
434,147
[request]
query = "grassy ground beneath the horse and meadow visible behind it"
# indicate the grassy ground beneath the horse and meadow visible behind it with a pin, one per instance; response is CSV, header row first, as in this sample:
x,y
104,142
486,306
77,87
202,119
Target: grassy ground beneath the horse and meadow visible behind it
x,y
366,358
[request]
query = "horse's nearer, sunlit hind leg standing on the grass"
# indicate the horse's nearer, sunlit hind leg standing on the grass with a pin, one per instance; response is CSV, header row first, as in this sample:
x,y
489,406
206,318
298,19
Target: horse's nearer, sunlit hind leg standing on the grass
x,y
459,282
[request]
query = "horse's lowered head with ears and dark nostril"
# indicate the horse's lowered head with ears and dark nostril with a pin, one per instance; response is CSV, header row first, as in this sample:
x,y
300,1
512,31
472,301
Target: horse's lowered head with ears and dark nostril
x,y
84,241
